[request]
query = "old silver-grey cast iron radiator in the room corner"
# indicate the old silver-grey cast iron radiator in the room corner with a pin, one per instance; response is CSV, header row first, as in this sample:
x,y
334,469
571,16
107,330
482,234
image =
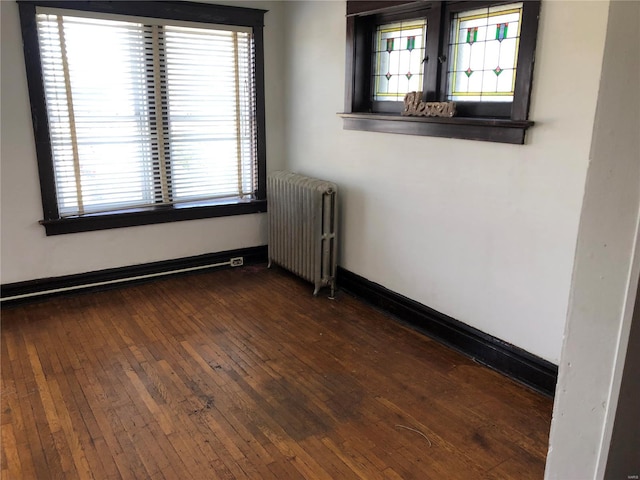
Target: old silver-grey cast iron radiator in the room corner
x,y
303,227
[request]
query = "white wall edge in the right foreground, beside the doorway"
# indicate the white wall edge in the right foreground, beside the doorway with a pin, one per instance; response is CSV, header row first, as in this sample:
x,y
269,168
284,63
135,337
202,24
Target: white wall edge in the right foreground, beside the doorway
x,y
607,266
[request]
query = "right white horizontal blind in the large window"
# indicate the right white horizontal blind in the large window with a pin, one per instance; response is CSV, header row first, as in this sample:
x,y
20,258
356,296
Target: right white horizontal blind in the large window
x,y
210,97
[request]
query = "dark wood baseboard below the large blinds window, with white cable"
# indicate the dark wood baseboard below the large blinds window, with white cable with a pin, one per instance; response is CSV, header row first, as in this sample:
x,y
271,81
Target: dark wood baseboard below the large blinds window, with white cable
x,y
33,290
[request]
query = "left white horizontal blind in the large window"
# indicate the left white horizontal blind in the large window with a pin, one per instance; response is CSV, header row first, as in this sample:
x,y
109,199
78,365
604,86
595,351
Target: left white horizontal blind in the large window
x,y
96,92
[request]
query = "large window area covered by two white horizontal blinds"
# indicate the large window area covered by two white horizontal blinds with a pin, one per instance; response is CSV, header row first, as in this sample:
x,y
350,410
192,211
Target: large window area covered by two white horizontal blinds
x,y
146,114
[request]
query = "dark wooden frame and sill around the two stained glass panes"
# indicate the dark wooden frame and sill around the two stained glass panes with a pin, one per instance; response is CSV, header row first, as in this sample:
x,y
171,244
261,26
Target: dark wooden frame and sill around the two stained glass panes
x,y
489,121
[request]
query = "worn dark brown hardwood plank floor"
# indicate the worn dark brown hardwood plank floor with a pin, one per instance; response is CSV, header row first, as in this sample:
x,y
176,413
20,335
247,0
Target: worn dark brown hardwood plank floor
x,y
241,373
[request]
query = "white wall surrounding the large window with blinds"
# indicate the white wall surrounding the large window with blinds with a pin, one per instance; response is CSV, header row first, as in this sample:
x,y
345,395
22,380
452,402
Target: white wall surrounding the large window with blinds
x,y
28,254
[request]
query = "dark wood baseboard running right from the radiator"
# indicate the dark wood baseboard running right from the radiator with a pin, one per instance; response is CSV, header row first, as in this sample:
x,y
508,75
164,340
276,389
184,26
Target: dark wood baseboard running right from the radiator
x,y
501,356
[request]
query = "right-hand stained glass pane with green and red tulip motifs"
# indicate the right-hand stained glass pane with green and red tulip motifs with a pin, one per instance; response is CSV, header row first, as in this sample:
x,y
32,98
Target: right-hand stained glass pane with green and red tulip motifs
x,y
484,54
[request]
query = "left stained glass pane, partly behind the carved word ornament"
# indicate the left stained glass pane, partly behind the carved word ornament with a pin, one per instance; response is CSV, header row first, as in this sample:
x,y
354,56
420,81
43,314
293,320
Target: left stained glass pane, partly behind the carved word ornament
x,y
398,59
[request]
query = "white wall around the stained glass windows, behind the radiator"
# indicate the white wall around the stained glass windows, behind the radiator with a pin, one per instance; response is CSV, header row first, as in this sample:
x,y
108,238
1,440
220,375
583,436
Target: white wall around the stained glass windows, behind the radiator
x,y
483,232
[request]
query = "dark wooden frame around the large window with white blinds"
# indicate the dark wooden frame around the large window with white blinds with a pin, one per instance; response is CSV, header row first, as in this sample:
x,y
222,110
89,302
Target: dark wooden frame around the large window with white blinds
x,y
169,10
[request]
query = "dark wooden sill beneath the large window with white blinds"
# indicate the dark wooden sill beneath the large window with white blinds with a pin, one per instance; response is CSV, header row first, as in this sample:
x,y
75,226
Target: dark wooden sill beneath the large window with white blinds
x,y
151,215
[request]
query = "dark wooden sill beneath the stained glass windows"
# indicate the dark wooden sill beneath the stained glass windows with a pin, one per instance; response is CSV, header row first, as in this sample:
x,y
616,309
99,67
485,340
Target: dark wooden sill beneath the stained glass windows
x,y
484,129
